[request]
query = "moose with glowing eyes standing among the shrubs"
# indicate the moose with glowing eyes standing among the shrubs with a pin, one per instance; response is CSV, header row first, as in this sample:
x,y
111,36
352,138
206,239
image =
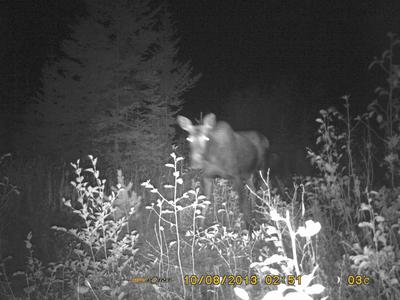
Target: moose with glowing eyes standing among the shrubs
x,y
219,151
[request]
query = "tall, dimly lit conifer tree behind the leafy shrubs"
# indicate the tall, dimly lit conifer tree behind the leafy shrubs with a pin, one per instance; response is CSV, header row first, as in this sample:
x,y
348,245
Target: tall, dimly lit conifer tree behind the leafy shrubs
x,y
116,89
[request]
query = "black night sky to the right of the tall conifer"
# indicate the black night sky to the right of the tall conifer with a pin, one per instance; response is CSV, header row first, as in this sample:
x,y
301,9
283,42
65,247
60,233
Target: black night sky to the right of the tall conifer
x,y
241,43
